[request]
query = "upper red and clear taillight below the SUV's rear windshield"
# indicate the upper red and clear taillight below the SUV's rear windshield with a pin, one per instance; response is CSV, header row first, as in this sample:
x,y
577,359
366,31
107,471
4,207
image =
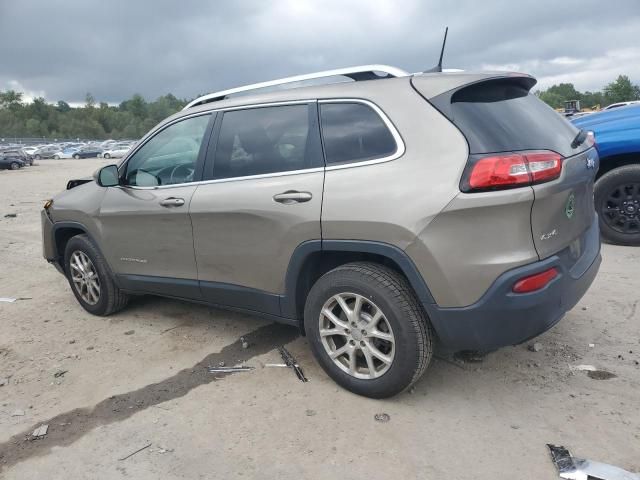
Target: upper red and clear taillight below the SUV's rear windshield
x,y
501,171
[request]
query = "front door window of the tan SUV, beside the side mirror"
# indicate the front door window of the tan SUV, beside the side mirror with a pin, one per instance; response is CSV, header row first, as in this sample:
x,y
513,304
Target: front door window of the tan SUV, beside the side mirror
x,y
170,156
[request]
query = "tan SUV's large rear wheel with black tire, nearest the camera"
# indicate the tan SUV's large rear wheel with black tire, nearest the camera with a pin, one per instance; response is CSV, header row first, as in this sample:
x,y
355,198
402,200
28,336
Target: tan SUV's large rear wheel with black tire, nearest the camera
x,y
403,319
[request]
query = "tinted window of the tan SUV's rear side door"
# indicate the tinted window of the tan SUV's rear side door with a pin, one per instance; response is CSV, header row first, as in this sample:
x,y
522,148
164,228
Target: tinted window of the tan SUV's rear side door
x,y
263,140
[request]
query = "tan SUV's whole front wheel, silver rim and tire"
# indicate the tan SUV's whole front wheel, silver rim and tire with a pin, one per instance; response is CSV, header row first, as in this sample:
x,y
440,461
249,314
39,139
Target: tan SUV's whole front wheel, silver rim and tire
x,y
90,278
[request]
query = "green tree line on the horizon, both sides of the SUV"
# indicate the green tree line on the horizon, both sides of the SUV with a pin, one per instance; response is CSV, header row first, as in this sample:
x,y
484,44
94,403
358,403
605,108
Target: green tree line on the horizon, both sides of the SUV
x,y
134,117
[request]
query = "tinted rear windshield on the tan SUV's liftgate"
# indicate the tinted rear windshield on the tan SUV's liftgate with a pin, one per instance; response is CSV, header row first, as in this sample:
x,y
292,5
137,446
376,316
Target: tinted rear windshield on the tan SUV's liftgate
x,y
501,116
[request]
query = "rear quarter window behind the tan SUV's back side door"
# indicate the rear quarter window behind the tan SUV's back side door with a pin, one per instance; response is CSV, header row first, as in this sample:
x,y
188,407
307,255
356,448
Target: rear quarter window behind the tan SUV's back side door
x,y
353,132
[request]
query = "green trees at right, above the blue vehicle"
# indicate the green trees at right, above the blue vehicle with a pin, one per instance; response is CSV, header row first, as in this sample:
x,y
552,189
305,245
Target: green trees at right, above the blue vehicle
x,y
620,90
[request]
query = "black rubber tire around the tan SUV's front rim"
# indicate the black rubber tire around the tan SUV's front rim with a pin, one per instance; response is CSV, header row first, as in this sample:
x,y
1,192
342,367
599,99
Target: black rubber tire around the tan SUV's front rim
x,y
110,298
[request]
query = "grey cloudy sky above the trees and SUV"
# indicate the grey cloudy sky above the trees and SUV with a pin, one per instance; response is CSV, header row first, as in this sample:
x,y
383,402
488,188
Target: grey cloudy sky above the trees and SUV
x,y
114,48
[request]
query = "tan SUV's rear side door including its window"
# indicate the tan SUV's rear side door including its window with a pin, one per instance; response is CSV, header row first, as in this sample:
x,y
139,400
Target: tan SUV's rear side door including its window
x,y
262,200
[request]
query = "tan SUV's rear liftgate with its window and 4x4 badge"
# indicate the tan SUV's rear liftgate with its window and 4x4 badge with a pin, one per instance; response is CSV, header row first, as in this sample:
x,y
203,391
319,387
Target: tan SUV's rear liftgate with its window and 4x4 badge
x,y
501,116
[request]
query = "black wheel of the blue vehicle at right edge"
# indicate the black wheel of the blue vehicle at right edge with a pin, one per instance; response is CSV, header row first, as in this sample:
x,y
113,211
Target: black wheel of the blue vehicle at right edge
x,y
619,221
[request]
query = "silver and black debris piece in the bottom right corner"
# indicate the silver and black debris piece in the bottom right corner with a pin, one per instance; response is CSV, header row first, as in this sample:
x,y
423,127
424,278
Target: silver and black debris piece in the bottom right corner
x,y
572,468
